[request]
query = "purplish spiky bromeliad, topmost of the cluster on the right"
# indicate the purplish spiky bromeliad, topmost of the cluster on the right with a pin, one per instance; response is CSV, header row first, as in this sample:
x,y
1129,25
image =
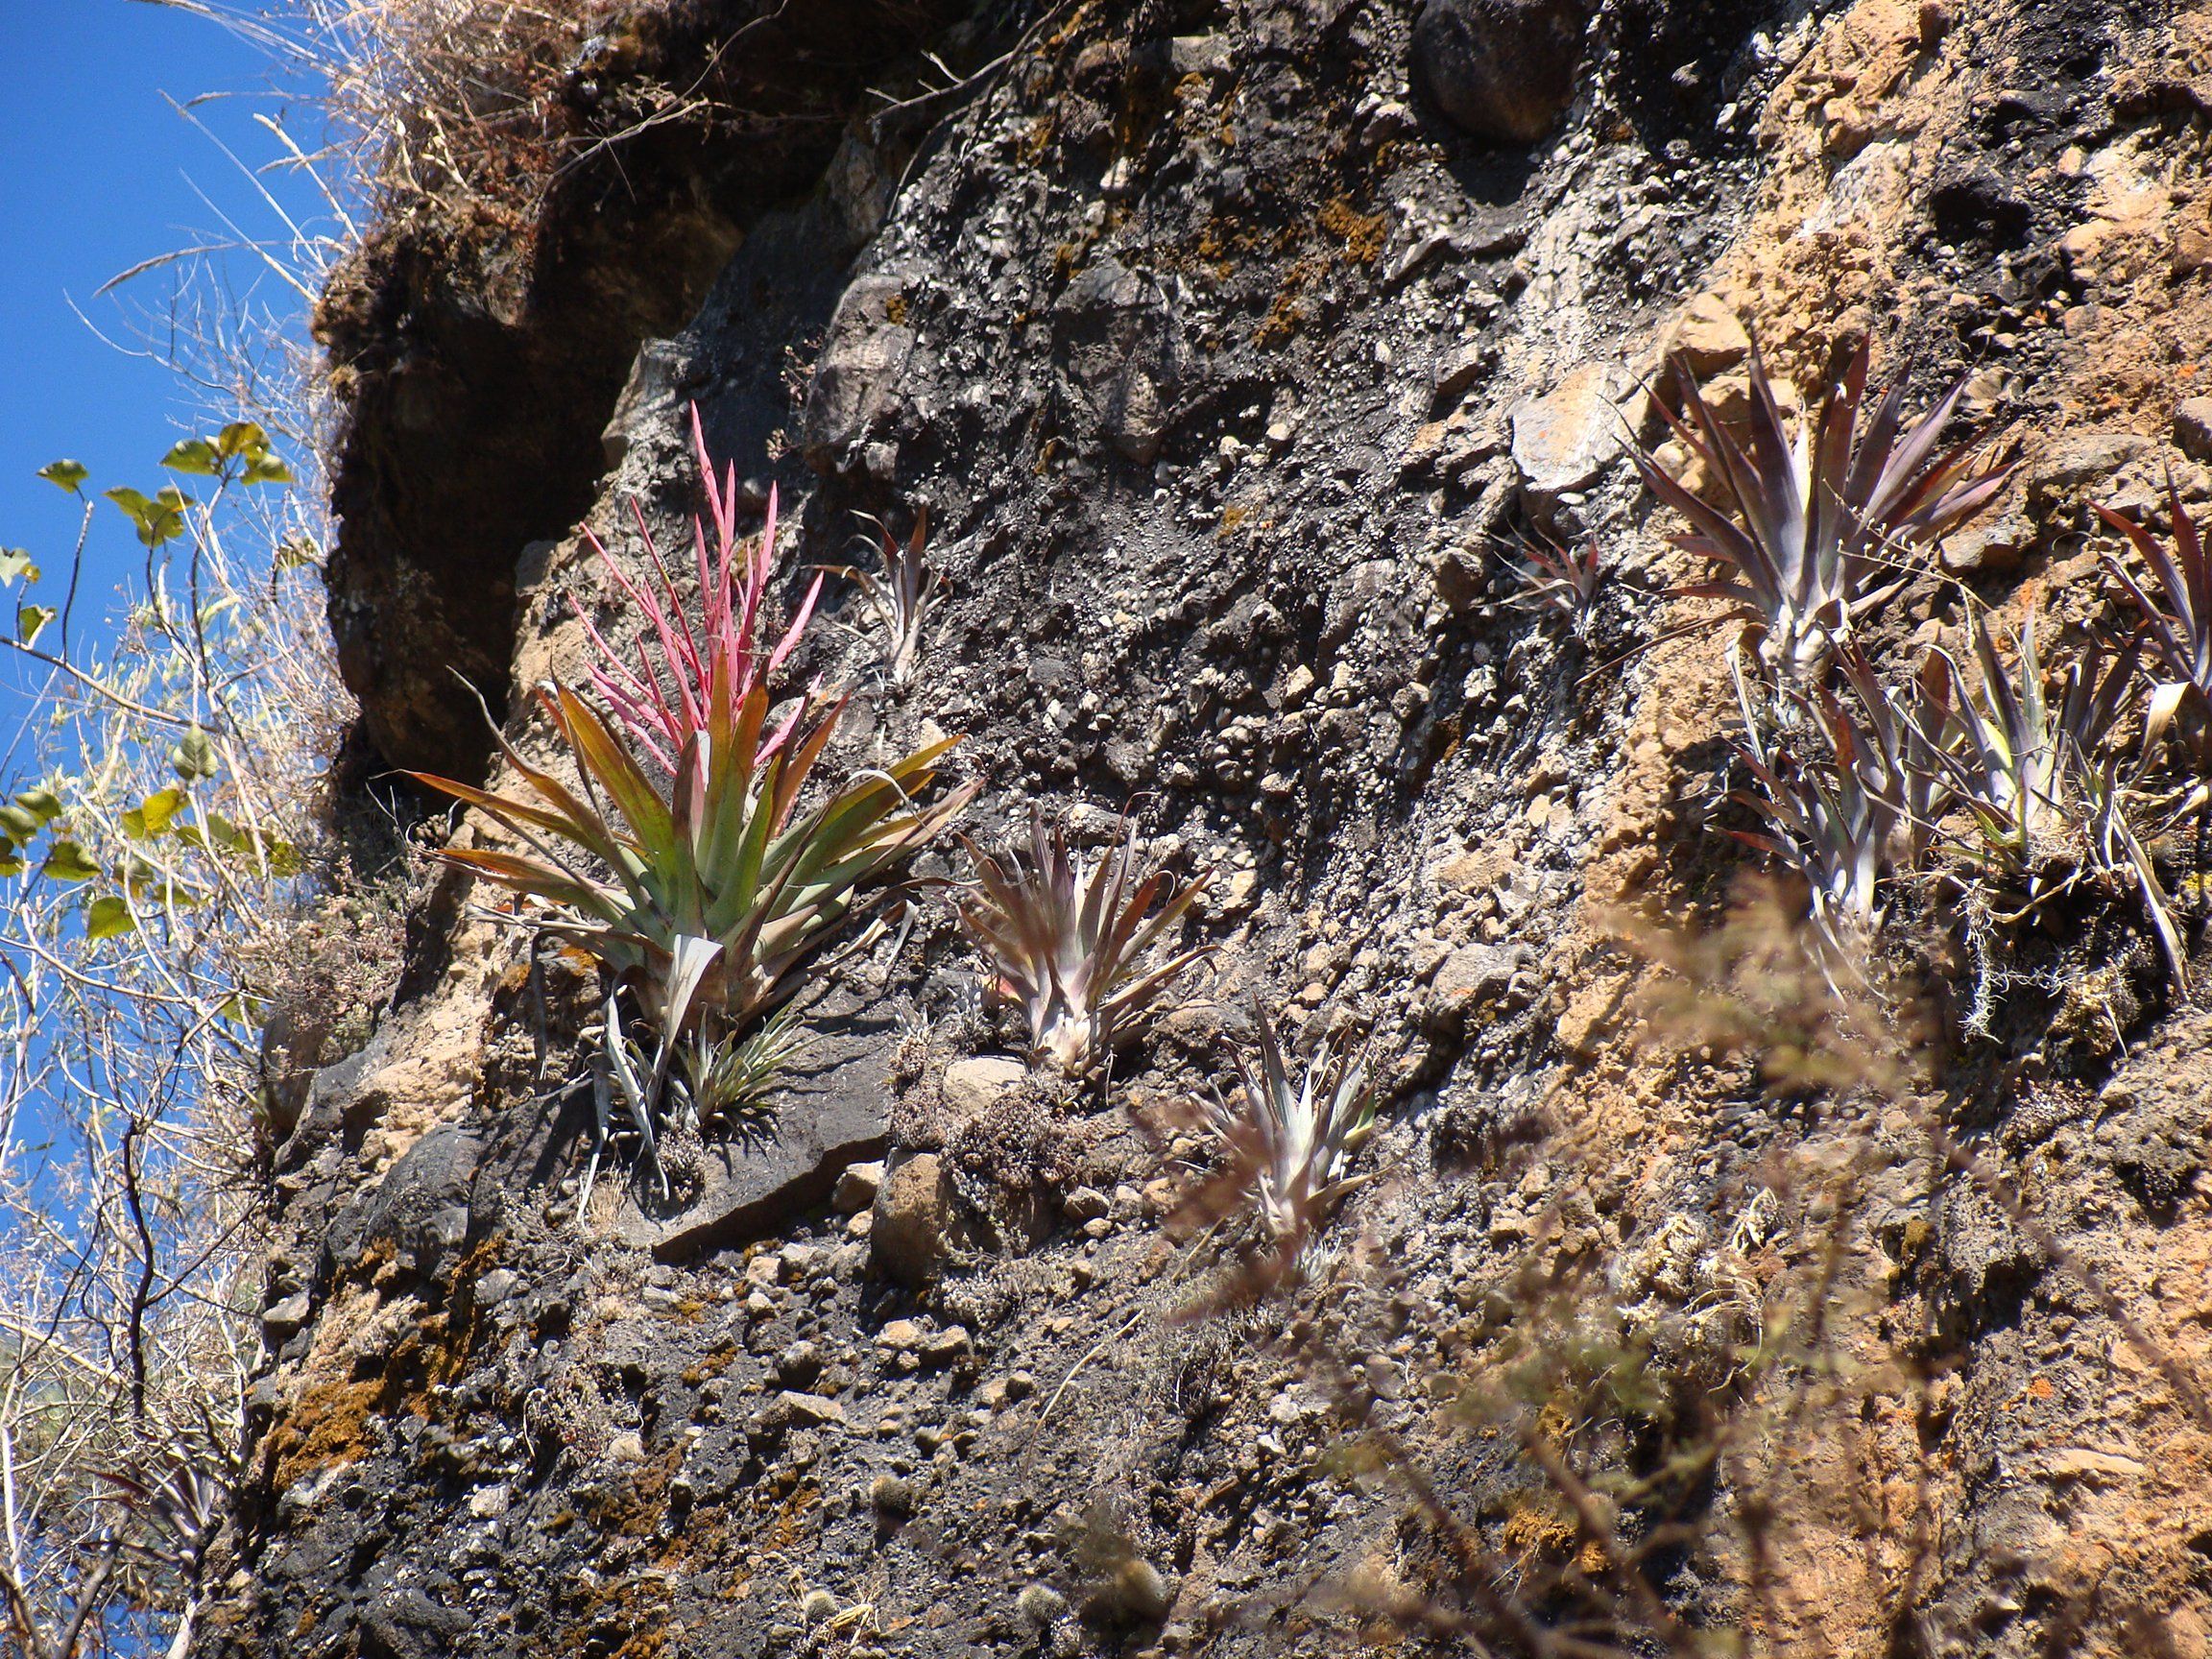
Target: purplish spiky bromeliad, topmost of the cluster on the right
x,y
1811,528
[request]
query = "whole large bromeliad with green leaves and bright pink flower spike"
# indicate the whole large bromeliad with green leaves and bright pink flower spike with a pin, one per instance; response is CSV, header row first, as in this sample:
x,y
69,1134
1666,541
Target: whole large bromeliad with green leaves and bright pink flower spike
x,y
687,859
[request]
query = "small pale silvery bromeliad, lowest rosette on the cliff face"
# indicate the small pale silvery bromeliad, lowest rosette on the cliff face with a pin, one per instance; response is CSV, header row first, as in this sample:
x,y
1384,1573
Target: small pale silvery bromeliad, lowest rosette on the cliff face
x,y
1291,1147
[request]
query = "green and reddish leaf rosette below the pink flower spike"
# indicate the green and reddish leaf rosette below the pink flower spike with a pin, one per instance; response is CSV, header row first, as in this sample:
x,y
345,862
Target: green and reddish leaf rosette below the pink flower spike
x,y
720,890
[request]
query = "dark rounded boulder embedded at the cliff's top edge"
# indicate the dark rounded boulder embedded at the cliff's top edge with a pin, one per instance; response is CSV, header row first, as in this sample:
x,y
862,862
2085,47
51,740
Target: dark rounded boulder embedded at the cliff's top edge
x,y
1501,70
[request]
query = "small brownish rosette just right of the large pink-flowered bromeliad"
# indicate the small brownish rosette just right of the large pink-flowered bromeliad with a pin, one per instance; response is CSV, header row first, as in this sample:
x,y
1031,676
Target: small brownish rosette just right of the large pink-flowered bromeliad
x,y
1072,941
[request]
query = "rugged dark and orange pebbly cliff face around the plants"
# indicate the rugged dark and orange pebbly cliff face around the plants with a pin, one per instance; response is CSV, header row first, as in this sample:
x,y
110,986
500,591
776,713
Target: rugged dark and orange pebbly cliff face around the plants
x,y
1227,344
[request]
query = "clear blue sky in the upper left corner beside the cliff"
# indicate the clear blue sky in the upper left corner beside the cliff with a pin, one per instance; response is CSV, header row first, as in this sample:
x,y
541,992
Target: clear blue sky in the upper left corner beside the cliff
x,y
96,176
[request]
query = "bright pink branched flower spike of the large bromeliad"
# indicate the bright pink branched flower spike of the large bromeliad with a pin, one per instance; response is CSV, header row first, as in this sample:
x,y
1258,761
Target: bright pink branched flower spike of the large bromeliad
x,y
669,693
